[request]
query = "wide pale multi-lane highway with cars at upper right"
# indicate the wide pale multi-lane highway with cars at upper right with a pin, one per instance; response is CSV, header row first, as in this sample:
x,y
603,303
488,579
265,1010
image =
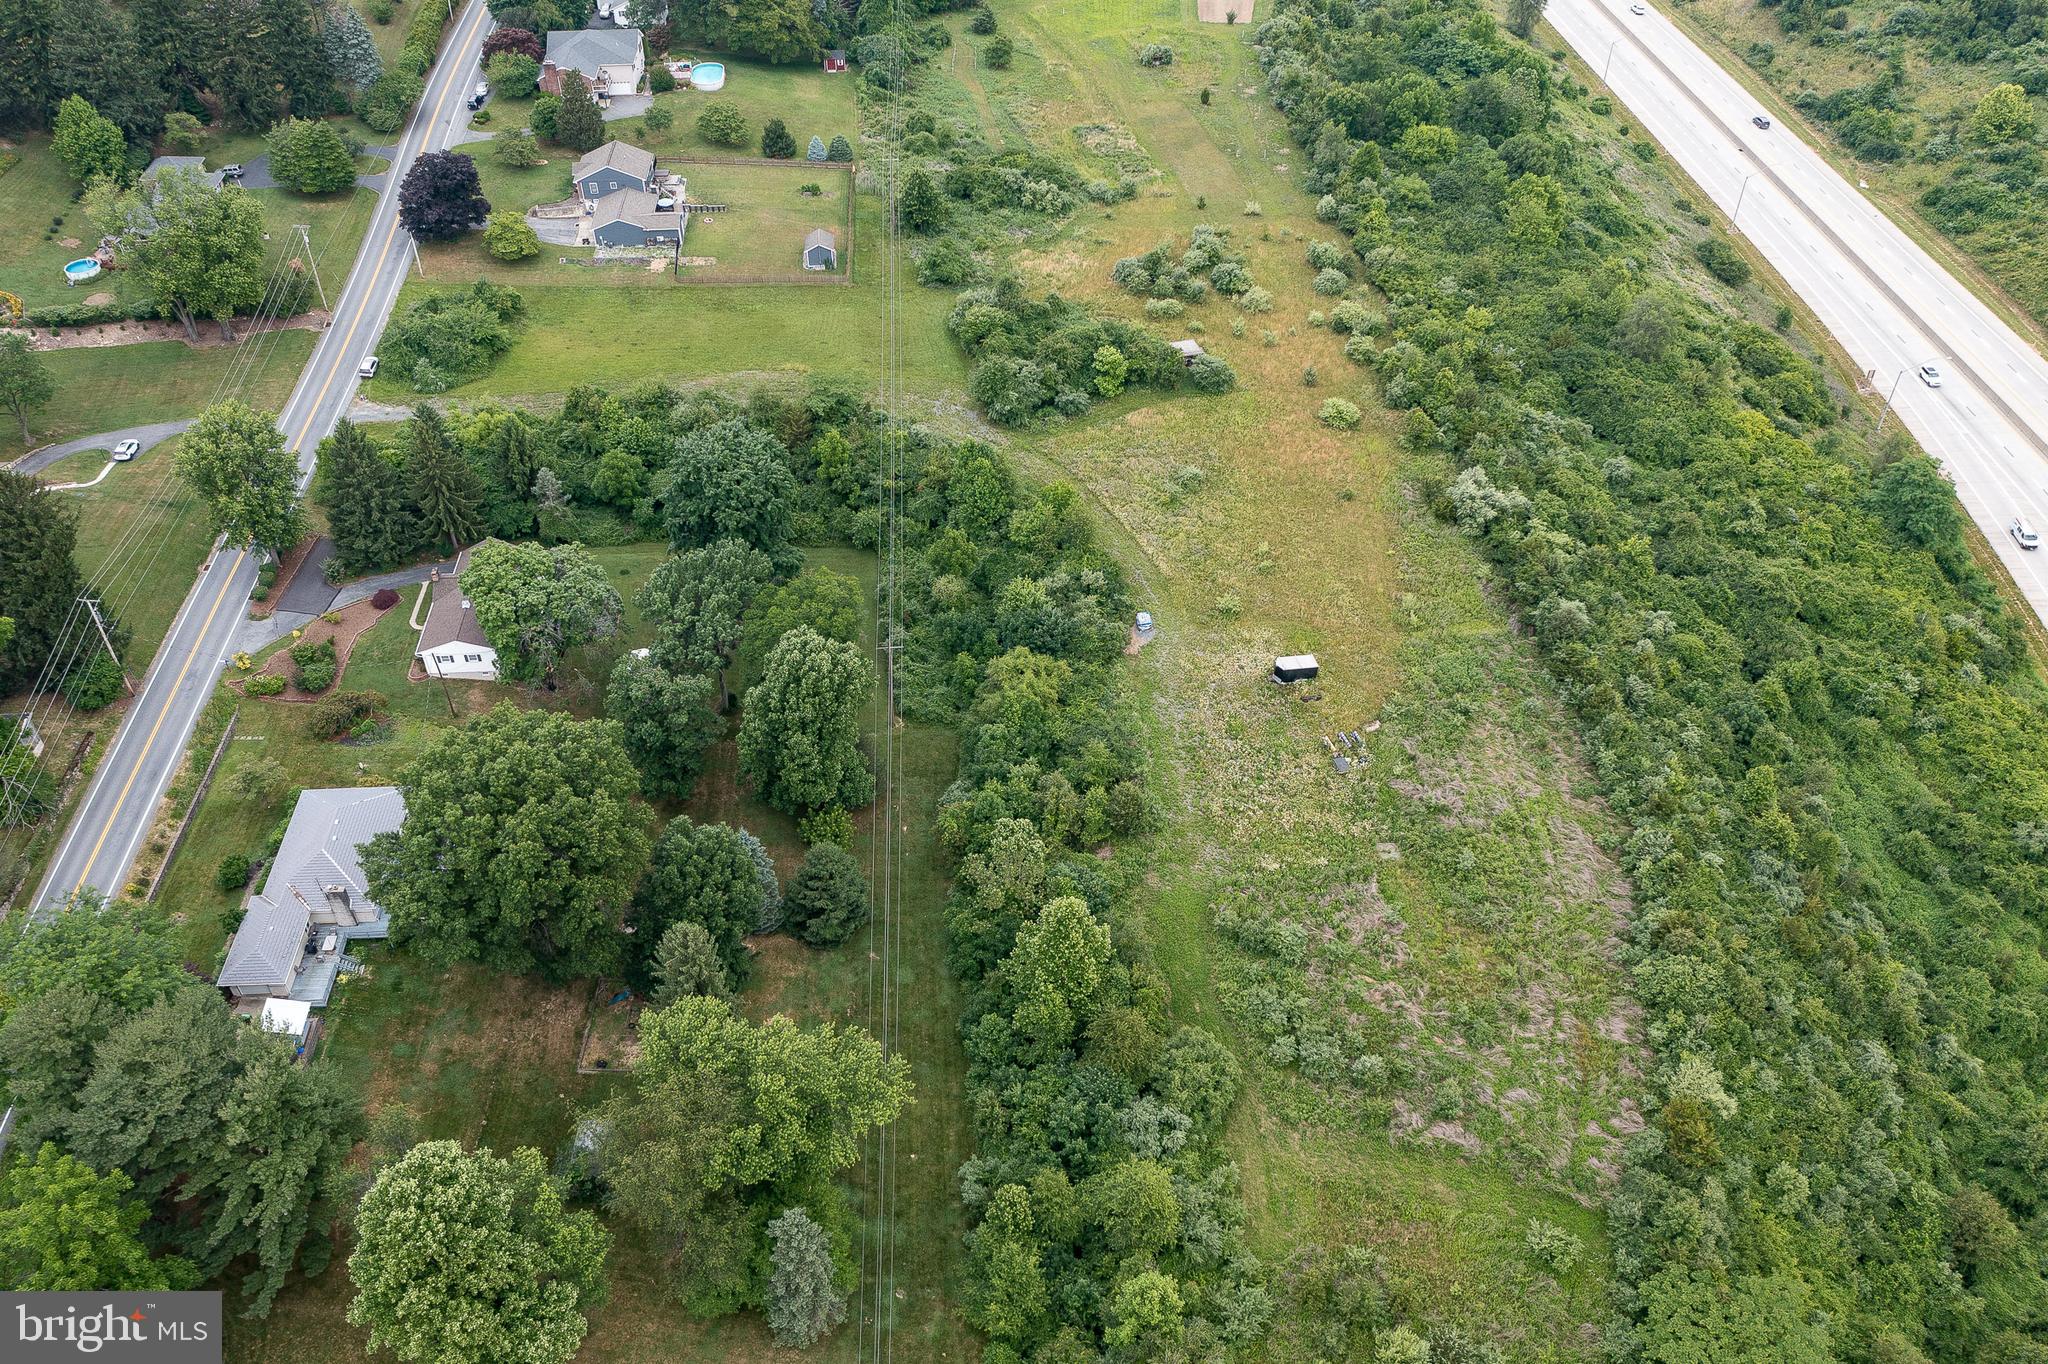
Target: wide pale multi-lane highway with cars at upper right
x,y
1889,304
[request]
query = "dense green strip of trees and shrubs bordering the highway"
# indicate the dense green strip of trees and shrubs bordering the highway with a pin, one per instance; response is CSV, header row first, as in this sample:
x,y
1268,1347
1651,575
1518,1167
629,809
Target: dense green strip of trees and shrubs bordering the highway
x,y
1793,683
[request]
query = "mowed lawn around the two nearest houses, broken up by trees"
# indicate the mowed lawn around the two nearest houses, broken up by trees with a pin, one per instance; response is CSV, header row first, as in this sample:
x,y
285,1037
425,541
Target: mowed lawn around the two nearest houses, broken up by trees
x,y
495,1060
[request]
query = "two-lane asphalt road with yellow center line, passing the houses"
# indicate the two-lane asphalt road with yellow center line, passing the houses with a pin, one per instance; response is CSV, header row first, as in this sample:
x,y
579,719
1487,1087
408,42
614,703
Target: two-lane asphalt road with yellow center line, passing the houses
x,y
124,794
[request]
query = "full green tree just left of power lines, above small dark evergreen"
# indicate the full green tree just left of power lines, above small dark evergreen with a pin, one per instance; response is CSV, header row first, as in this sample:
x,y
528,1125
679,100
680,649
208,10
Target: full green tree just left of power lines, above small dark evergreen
x,y
800,740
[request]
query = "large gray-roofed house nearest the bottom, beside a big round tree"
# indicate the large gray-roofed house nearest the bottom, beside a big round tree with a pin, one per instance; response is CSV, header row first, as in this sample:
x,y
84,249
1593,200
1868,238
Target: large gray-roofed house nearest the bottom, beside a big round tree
x,y
314,902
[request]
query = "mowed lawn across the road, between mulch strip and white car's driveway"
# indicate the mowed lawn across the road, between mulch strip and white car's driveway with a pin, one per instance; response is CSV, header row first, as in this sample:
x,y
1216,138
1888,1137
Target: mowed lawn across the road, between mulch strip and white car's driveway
x,y
110,388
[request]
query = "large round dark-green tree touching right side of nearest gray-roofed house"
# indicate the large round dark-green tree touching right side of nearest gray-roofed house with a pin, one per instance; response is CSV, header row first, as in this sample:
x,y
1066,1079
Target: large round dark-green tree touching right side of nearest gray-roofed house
x,y
519,849
